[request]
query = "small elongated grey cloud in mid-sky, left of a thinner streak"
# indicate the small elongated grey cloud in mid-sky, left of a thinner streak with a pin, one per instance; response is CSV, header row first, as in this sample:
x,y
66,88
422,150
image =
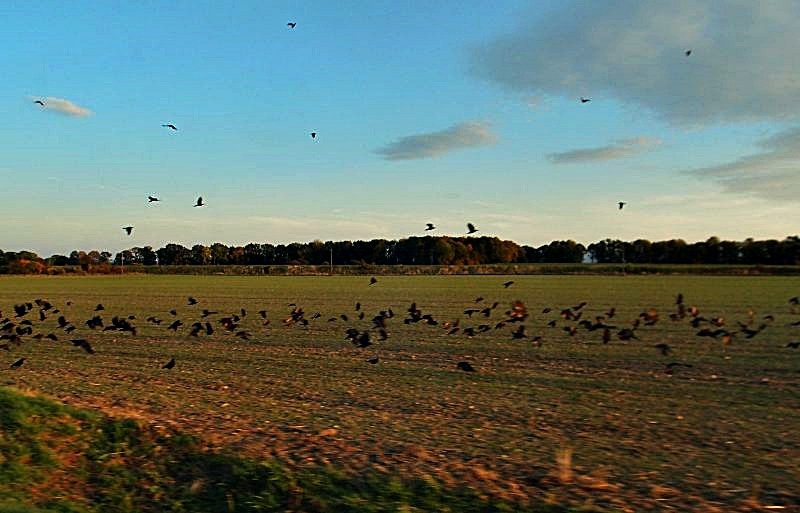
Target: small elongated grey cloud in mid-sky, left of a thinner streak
x,y
433,144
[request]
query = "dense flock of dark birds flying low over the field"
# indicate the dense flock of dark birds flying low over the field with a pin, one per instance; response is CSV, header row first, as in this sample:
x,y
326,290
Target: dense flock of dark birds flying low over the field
x,y
480,317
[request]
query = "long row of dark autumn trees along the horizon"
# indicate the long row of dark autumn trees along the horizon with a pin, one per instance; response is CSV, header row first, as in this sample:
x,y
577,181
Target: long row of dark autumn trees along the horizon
x,y
423,250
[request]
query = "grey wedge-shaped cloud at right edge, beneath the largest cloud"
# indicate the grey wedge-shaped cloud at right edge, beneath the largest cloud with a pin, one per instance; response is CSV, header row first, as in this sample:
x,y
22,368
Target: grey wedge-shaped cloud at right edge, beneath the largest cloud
x,y
774,173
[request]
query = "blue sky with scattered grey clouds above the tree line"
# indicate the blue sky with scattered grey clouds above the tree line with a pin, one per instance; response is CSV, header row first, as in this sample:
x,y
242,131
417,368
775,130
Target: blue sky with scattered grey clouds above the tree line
x,y
444,112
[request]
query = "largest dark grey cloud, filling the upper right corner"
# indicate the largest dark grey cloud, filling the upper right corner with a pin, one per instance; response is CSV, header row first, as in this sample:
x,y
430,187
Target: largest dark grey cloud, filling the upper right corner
x,y
742,68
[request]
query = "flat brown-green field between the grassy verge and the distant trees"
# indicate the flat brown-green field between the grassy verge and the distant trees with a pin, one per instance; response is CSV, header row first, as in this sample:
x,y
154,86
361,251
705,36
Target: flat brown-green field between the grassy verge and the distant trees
x,y
720,433
